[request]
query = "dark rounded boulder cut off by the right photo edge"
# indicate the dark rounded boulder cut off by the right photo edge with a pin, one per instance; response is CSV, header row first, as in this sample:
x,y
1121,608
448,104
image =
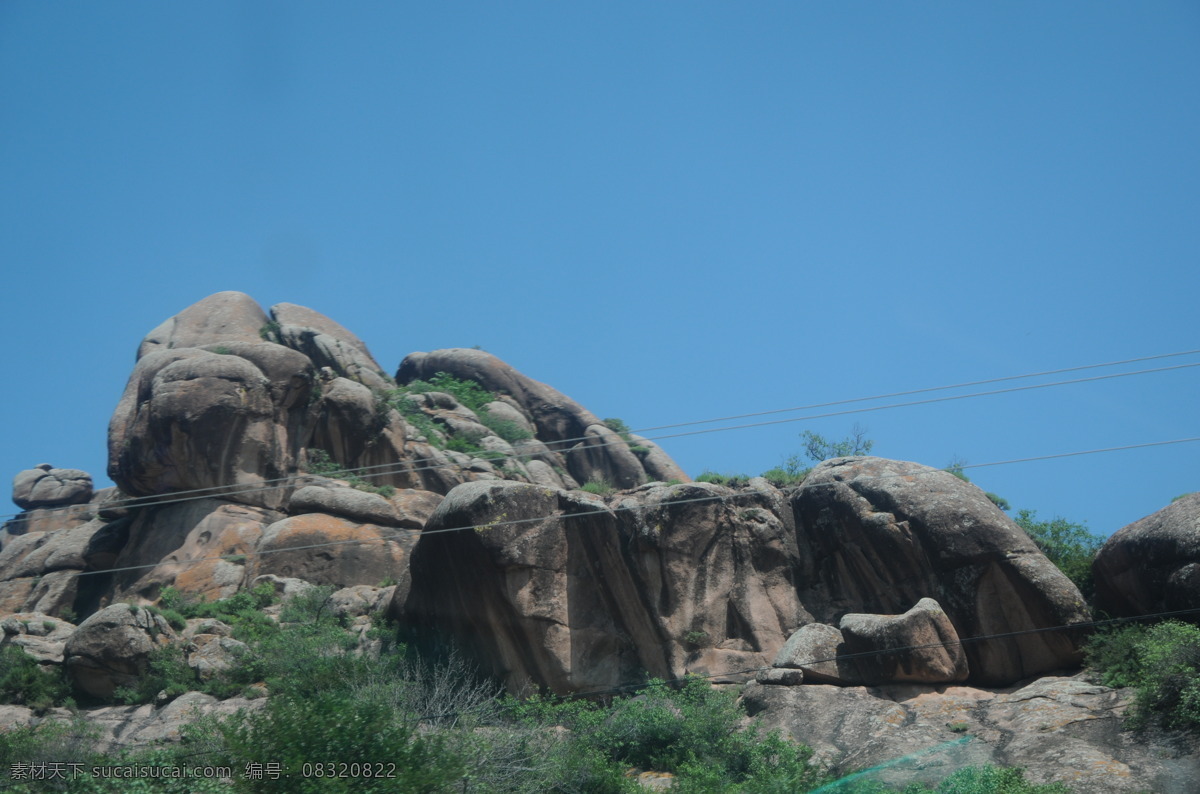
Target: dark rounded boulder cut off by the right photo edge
x,y
1154,564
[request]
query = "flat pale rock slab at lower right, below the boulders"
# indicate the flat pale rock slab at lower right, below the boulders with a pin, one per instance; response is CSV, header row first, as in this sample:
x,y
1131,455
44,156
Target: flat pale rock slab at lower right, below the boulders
x,y
1060,730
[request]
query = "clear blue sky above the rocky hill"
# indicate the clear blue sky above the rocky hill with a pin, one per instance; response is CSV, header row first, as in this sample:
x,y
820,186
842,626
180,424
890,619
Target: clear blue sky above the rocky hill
x,y
670,212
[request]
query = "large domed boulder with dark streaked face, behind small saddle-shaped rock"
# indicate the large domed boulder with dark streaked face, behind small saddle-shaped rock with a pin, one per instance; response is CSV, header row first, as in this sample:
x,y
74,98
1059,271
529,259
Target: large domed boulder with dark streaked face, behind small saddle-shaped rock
x,y
877,537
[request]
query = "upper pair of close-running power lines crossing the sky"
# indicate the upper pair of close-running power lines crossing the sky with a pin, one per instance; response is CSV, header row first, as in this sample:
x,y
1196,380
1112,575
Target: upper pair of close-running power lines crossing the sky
x,y
387,470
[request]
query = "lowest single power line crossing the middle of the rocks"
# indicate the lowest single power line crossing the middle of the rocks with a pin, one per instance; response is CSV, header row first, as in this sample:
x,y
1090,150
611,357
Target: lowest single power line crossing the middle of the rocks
x,y
608,510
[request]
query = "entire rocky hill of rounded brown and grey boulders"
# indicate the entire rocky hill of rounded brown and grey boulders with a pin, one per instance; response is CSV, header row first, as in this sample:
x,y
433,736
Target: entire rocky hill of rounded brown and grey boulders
x,y
470,503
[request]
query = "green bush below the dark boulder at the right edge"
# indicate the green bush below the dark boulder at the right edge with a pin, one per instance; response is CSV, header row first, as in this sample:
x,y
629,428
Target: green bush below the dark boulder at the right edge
x,y
1161,663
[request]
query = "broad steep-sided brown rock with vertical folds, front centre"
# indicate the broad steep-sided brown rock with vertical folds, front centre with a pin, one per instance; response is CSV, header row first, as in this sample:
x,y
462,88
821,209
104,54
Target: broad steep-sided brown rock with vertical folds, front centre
x,y
568,592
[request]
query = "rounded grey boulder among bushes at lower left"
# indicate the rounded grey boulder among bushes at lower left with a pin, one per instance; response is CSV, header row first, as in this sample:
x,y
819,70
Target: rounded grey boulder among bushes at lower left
x,y
112,648
